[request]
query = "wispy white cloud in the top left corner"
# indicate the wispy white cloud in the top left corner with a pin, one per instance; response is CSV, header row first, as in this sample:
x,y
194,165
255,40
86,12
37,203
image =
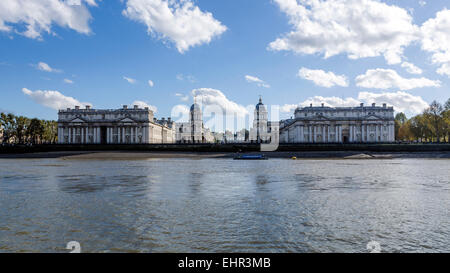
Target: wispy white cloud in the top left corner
x,y
38,16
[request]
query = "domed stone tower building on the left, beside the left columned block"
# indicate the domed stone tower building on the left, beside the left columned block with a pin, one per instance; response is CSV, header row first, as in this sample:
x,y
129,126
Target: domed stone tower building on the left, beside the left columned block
x,y
194,130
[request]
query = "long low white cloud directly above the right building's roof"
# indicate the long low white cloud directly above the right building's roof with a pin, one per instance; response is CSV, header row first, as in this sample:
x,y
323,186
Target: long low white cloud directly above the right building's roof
x,y
401,101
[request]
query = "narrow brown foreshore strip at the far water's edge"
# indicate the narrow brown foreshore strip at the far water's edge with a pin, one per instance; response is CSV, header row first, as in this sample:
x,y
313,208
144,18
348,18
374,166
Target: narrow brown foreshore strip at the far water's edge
x,y
132,155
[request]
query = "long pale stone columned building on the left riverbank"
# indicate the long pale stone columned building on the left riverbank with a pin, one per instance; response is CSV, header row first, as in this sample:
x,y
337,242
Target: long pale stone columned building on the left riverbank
x,y
121,126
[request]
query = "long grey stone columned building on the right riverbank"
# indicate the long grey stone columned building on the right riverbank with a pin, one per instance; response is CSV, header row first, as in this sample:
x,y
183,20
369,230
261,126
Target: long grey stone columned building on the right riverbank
x,y
364,124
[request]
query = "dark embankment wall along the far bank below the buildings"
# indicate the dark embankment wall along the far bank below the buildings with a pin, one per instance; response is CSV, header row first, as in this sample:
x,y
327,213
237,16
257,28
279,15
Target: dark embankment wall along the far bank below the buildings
x,y
228,150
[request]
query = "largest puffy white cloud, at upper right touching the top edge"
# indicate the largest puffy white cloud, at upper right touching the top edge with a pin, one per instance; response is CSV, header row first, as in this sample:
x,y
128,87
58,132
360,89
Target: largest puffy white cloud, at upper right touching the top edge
x,y
358,28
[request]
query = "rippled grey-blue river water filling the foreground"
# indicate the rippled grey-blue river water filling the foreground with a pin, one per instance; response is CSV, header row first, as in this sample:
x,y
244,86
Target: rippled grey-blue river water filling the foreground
x,y
221,205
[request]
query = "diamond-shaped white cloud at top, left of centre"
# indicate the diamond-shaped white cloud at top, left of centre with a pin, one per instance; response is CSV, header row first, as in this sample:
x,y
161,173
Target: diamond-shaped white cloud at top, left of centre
x,y
179,21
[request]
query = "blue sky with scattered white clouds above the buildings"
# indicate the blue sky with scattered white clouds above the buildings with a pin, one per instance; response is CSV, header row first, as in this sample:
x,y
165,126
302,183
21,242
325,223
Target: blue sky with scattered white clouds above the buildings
x,y
103,45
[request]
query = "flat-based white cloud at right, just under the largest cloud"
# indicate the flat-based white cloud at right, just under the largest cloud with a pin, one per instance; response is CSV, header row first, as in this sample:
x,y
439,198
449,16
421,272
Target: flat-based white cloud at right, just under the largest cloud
x,y
388,78
